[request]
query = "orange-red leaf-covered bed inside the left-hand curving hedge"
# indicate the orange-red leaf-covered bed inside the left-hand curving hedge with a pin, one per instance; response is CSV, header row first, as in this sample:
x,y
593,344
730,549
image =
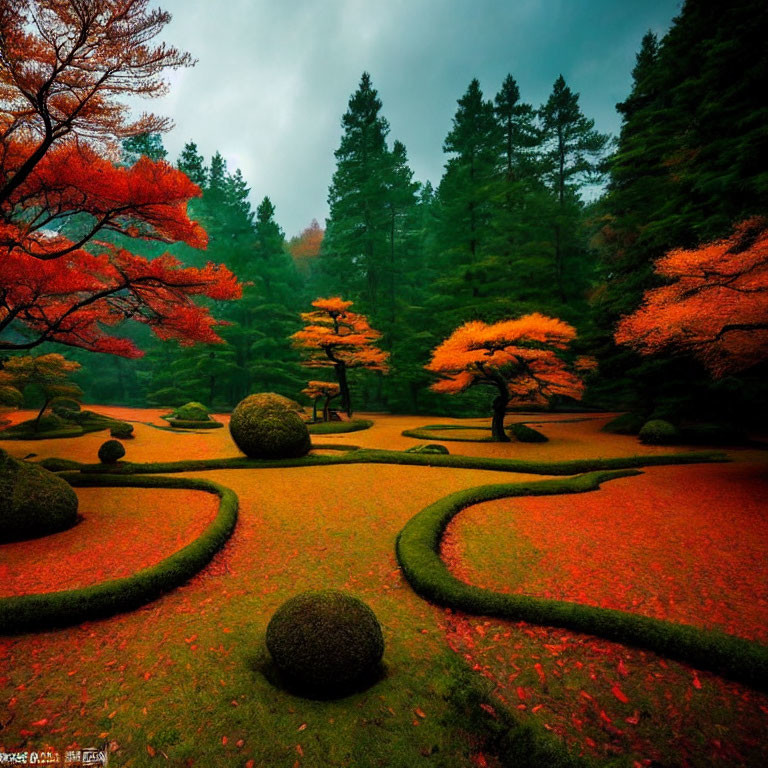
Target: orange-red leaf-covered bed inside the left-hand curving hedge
x,y
122,531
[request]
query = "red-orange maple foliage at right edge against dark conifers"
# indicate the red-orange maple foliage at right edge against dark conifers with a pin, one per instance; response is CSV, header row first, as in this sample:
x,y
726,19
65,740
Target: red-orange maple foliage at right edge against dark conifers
x,y
715,306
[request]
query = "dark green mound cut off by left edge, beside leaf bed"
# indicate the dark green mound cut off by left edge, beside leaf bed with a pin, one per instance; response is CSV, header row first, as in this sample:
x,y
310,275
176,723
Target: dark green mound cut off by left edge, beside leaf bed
x,y
33,501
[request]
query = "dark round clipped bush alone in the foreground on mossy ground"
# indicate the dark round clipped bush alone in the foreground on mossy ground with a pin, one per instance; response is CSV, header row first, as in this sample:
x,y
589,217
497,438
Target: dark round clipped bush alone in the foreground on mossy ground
x,y
326,643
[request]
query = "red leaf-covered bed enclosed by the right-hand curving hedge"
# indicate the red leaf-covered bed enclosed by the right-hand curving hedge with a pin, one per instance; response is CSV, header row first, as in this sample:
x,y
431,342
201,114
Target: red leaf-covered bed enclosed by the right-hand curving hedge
x,y
685,544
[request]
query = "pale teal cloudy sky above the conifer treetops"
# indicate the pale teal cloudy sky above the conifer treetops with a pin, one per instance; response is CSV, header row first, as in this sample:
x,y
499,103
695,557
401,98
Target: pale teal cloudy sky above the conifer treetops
x,y
273,78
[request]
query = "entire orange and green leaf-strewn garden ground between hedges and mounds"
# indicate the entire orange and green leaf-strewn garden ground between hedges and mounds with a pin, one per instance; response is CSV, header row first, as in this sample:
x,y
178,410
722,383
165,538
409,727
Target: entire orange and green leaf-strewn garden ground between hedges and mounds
x,y
179,680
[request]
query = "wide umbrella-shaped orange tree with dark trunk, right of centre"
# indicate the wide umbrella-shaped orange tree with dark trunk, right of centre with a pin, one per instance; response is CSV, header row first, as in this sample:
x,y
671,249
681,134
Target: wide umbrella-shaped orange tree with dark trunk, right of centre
x,y
521,359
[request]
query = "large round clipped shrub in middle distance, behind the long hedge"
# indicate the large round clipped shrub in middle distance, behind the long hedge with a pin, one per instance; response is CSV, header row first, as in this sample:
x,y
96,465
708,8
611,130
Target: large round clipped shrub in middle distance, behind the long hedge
x,y
264,427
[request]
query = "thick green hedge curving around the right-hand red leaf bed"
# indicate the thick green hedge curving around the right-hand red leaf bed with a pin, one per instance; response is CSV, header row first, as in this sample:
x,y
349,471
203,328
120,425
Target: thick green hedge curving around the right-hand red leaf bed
x,y
418,548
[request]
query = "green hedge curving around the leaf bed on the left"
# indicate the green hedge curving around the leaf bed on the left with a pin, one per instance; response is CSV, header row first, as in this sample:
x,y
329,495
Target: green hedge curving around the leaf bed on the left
x,y
25,613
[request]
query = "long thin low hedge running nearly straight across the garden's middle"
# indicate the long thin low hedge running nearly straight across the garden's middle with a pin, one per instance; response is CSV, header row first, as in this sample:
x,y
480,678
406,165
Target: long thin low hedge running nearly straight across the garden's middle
x,y
367,456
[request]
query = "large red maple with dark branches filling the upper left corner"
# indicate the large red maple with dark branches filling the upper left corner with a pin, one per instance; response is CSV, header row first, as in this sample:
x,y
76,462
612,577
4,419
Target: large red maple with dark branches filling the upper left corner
x,y
65,65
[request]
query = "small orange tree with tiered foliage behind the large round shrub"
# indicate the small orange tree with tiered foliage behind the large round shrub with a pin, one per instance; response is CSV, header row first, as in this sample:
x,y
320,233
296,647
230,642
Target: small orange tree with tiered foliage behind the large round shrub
x,y
334,337
